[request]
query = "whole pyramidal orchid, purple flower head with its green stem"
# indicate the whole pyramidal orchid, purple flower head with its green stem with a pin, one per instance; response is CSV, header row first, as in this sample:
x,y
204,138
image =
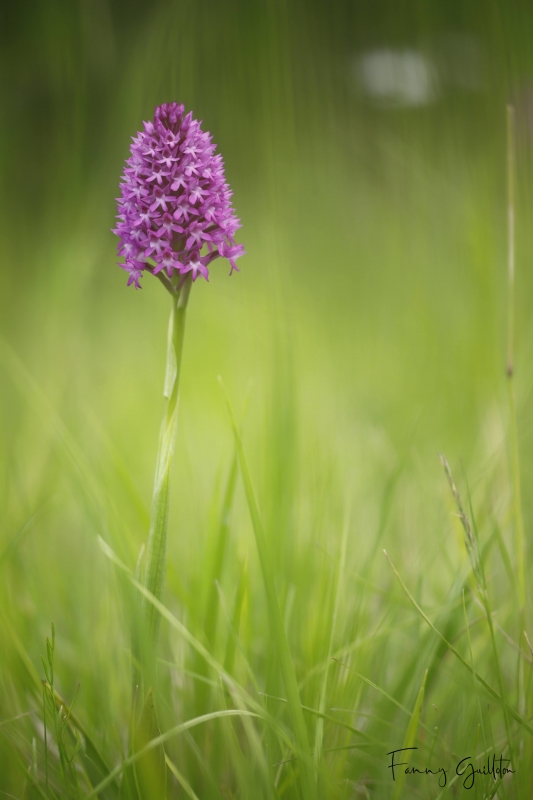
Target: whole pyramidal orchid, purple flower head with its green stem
x,y
175,217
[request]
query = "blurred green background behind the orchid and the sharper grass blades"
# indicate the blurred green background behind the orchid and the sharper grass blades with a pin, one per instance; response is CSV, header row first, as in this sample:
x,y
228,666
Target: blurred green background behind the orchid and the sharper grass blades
x,y
366,147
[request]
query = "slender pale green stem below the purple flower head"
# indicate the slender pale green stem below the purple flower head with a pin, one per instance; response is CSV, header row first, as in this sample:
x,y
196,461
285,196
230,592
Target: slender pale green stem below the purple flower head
x,y
156,551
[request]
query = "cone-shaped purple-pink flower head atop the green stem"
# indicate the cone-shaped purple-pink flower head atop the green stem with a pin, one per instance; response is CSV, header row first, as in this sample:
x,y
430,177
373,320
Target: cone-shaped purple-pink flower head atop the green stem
x,y
175,206
